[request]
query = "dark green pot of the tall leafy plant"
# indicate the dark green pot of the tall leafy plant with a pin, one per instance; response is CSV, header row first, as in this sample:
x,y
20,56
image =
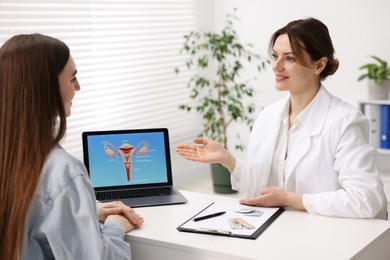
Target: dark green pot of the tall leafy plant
x,y
221,179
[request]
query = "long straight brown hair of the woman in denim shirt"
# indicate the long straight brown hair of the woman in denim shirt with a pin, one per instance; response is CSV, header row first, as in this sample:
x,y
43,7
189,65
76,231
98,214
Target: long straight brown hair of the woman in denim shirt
x,y
32,121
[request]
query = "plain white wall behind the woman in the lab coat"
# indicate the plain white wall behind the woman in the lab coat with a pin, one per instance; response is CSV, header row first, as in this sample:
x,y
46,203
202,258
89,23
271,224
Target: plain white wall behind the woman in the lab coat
x,y
358,28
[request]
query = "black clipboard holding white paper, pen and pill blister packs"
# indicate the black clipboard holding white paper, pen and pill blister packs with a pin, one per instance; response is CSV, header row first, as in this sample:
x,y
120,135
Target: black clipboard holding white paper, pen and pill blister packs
x,y
255,220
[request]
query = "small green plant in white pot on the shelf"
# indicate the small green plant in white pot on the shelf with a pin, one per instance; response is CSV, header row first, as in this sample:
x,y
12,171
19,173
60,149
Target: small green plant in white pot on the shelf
x,y
378,75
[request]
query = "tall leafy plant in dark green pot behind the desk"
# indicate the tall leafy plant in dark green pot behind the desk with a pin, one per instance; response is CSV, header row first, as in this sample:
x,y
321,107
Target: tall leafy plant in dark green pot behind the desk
x,y
222,96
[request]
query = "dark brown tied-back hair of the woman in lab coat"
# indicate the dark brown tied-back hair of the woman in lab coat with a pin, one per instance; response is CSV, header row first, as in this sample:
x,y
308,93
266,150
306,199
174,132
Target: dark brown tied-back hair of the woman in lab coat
x,y
312,36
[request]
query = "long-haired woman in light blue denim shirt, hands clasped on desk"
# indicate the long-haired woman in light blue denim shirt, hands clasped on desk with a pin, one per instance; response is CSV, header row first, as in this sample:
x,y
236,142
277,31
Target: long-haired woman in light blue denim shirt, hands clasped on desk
x,y
47,205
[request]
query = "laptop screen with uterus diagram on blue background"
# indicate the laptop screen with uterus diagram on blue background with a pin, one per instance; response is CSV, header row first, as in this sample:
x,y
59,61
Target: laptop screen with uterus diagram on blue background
x,y
127,157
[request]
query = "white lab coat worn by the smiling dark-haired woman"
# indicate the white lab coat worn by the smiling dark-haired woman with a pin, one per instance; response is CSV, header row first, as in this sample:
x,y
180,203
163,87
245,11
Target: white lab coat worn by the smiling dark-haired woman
x,y
331,164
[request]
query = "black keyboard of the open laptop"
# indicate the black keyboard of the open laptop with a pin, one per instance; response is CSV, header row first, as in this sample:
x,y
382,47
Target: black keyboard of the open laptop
x,y
134,193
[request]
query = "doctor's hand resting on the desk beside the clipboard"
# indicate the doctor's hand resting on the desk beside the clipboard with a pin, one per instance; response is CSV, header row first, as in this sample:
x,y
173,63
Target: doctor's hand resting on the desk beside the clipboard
x,y
276,197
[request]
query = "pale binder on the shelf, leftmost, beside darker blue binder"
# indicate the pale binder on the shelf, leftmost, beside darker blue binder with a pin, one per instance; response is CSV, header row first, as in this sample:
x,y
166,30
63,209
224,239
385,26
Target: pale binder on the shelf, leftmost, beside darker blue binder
x,y
373,114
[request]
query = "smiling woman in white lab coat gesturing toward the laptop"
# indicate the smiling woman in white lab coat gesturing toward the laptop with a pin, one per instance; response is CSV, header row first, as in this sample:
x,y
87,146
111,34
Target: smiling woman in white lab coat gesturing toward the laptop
x,y
310,150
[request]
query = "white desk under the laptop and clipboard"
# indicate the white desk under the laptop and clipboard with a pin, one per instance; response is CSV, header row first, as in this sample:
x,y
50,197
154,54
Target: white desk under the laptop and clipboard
x,y
294,235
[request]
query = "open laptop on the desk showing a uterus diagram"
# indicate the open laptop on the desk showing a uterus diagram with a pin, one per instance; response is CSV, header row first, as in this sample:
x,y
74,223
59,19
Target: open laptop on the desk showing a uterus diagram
x,y
133,166
